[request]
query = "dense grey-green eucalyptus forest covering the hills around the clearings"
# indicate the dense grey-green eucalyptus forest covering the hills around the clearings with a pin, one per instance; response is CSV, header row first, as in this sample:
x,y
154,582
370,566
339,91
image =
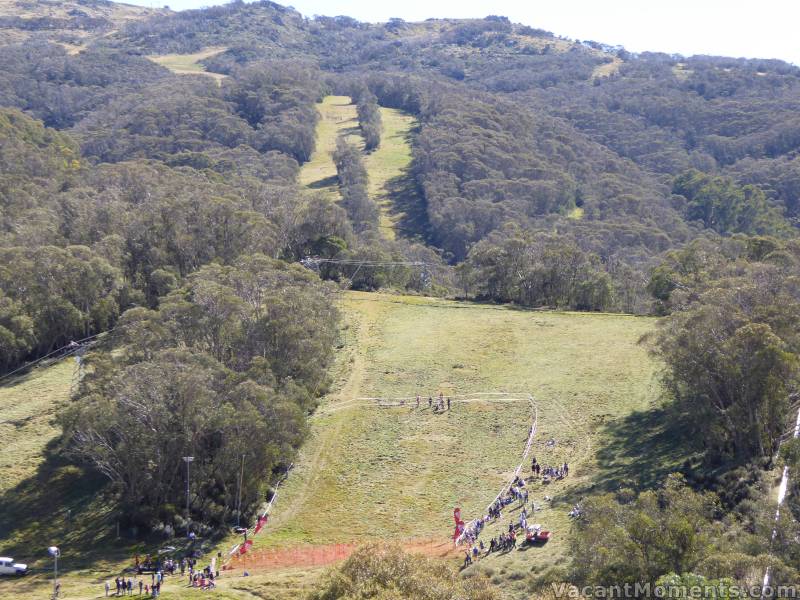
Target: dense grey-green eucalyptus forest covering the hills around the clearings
x,y
545,172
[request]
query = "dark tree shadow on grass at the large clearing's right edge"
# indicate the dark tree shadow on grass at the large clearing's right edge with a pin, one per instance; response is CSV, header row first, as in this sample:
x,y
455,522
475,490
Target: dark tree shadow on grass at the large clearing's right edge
x,y
640,451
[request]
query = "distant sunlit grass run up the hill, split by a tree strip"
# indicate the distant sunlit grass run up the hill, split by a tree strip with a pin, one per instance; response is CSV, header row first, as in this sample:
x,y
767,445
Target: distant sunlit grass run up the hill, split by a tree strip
x,y
386,165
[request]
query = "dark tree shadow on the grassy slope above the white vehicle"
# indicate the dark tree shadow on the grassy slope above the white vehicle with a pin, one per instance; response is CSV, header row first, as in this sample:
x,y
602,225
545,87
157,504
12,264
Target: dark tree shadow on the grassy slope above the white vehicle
x,y
62,505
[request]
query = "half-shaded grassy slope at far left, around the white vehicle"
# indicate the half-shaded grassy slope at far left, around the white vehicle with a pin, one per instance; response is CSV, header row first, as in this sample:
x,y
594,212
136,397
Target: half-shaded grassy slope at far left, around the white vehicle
x,y
43,500
